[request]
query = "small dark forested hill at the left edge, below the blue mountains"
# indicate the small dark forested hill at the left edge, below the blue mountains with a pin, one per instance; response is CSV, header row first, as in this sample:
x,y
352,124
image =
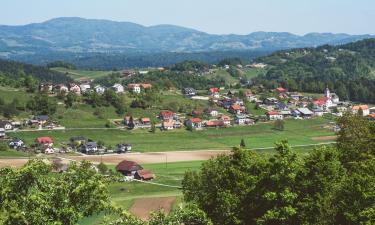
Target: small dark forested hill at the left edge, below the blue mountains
x,y
12,72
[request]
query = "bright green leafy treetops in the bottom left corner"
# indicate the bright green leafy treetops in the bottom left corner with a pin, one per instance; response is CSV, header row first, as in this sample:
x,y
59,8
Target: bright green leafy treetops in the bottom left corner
x,y
30,195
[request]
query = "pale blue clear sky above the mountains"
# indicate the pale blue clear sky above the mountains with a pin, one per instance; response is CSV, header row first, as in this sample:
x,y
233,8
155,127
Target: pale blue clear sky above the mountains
x,y
211,16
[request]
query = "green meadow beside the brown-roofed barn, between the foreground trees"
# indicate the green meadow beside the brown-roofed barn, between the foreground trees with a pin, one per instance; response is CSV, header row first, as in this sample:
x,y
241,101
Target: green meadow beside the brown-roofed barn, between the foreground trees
x,y
123,194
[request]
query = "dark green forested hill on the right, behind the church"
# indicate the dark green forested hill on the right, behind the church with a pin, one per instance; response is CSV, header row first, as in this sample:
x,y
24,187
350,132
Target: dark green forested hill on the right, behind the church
x,y
347,69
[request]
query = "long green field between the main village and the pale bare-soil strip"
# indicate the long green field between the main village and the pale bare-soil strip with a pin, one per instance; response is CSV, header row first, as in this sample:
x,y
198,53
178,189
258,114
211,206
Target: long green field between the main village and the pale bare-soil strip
x,y
298,132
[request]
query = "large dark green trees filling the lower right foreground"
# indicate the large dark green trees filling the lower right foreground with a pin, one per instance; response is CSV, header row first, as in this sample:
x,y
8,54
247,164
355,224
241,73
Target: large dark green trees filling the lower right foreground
x,y
326,187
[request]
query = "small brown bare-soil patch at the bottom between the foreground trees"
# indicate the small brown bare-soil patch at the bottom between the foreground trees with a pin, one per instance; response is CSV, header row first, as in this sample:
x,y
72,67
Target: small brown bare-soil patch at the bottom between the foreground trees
x,y
144,206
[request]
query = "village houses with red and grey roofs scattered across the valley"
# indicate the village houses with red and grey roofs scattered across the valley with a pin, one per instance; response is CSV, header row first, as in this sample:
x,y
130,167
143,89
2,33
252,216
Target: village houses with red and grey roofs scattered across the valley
x,y
225,108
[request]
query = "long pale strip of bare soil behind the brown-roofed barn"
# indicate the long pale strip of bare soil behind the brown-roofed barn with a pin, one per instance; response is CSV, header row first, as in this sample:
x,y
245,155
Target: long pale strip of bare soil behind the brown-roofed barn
x,y
152,157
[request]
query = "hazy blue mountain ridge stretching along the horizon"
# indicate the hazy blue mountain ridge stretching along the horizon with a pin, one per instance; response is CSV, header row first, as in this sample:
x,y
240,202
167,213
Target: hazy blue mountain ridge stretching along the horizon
x,y
82,37
